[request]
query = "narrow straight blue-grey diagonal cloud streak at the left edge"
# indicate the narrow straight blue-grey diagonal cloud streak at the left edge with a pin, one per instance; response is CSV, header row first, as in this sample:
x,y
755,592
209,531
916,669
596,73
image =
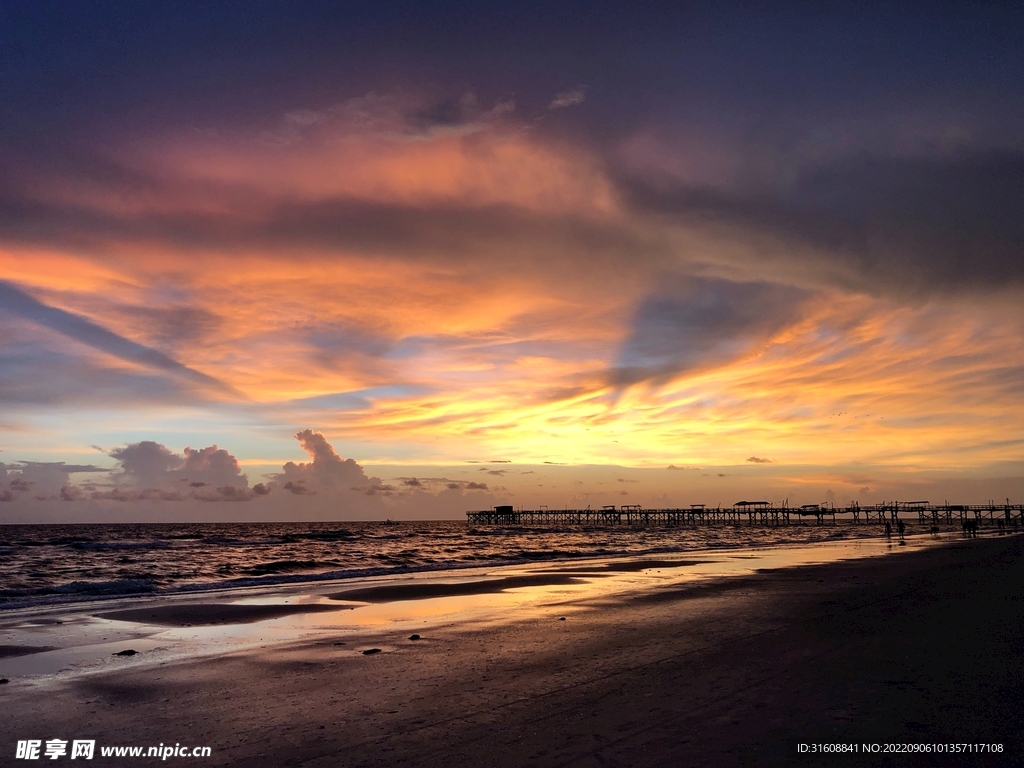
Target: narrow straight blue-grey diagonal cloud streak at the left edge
x,y
18,303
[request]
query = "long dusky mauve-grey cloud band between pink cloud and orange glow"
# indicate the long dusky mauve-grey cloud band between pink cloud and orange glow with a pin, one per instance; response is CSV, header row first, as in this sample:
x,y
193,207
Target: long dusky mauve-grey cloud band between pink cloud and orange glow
x,y
447,233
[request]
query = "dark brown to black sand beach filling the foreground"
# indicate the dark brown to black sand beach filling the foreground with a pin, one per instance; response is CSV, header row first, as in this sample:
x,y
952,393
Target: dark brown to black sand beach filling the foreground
x,y
919,648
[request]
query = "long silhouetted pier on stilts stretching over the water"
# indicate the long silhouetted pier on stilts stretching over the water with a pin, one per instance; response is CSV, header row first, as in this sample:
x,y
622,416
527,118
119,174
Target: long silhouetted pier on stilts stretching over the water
x,y
754,514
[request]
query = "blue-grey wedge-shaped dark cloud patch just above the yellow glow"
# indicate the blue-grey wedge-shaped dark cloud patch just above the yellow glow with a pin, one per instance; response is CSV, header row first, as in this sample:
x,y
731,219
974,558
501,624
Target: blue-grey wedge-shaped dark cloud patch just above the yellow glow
x,y
701,323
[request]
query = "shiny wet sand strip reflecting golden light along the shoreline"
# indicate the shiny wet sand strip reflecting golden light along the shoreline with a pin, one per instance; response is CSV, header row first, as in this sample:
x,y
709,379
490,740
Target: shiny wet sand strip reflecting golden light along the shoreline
x,y
81,638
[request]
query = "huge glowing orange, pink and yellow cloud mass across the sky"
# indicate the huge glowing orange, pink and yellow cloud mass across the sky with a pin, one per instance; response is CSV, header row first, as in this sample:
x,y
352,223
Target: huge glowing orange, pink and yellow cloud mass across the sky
x,y
447,285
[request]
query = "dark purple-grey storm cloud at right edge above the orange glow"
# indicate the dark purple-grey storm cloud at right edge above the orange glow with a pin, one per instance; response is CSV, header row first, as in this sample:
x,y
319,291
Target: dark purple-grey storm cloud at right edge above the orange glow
x,y
888,225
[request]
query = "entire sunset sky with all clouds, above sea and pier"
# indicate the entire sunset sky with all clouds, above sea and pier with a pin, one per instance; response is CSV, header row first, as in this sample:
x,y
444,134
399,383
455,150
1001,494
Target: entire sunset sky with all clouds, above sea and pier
x,y
311,261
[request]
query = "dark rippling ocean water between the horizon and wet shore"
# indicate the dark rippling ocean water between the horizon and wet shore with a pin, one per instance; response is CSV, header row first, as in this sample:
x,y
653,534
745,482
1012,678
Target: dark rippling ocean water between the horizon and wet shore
x,y
44,565
